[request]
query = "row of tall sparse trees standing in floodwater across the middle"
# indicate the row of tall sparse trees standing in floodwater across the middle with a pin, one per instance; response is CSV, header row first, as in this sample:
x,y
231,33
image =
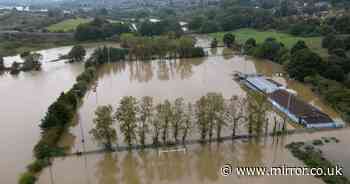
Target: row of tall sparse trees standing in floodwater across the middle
x,y
173,122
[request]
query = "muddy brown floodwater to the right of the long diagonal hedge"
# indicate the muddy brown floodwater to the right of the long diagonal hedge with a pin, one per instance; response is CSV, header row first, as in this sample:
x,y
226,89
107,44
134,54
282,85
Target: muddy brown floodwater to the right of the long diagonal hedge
x,y
190,78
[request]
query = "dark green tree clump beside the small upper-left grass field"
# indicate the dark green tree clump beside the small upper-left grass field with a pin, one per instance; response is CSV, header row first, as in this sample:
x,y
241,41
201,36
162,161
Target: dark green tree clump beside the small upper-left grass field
x,y
100,29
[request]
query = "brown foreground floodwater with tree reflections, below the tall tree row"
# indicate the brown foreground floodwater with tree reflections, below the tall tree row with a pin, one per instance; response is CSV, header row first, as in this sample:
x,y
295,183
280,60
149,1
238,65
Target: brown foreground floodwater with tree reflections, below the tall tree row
x,y
200,164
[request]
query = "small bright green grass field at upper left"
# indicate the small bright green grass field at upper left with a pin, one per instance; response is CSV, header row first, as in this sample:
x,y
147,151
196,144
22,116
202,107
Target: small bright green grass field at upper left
x,y
67,25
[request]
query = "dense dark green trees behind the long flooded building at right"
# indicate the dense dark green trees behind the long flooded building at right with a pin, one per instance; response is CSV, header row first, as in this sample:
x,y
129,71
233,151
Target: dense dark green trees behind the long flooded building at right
x,y
330,77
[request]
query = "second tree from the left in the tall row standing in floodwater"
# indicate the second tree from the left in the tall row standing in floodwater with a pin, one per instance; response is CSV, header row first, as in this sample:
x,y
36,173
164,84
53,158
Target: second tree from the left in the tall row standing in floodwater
x,y
126,116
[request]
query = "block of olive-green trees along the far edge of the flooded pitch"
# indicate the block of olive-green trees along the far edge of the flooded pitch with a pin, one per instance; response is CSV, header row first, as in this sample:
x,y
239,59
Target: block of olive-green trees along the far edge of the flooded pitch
x,y
146,48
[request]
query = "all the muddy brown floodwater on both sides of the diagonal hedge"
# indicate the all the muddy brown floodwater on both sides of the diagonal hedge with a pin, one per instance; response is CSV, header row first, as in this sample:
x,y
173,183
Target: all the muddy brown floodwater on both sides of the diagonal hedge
x,y
31,93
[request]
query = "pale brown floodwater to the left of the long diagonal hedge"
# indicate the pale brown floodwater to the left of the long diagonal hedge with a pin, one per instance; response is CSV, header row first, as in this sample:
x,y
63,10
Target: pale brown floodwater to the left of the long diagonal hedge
x,y
24,99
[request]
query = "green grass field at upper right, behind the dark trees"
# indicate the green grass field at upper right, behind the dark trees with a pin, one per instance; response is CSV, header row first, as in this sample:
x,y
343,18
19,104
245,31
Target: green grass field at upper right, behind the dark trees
x,y
288,40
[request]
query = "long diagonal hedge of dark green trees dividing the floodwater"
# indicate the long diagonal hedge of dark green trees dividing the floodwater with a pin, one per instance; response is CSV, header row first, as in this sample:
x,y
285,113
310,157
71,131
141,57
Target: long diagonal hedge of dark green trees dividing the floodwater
x,y
60,114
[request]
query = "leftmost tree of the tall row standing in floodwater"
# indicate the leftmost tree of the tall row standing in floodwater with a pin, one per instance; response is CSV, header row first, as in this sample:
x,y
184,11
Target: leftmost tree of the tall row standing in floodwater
x,y
103,131
